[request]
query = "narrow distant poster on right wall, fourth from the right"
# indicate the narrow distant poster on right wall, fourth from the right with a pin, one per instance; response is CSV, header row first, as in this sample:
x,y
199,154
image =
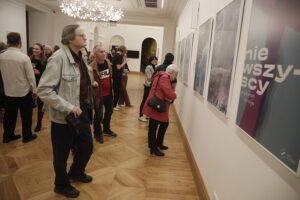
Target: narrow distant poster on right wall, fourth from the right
x,y
187,57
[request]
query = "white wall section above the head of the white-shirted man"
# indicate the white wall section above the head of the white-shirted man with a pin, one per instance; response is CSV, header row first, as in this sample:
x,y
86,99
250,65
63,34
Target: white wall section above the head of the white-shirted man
x,y
13,19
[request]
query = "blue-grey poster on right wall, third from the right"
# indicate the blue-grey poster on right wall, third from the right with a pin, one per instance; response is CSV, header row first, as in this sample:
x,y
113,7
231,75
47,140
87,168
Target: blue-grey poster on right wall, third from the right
x,y
204,37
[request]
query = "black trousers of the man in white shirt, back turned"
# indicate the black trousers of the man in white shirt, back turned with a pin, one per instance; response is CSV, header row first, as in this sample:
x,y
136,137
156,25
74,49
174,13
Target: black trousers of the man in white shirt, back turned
x,y
12,105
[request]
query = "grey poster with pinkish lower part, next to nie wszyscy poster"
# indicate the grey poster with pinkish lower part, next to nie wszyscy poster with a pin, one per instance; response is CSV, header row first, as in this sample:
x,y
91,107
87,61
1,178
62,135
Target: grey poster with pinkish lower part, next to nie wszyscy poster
x,y
225,45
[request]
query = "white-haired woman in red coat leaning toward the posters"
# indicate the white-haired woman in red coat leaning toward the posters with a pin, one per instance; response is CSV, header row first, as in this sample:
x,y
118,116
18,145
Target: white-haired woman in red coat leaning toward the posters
x,y
165,90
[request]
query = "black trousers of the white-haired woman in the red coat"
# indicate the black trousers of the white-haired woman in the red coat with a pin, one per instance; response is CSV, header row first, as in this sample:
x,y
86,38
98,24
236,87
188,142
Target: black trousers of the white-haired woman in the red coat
x,y
156,138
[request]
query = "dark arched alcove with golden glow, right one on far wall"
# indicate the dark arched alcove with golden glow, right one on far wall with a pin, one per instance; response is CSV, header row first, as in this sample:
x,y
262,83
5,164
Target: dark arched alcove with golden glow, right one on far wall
x,y
149,48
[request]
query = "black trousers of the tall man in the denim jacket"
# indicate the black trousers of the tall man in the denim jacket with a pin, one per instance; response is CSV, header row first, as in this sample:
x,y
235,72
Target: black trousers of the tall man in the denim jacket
x,y
63,139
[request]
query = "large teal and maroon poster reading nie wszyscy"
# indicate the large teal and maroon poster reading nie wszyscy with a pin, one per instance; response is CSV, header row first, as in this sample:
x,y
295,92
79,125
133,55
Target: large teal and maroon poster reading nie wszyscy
x,y
269,105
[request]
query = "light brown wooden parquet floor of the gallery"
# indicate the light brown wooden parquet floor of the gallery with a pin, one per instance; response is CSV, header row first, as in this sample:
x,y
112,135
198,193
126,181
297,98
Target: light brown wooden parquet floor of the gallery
x,y
122,167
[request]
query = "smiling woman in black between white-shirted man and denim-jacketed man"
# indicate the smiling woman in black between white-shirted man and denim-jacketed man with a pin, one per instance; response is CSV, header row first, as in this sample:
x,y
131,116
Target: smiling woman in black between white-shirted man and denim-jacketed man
x,y
38,61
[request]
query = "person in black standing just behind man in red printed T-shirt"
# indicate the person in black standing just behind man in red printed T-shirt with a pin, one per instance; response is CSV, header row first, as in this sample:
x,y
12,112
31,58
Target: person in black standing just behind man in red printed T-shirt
x,y
119,62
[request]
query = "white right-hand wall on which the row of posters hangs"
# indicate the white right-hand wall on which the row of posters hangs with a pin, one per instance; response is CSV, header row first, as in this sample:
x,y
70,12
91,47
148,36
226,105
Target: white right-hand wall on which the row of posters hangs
x,y
232,164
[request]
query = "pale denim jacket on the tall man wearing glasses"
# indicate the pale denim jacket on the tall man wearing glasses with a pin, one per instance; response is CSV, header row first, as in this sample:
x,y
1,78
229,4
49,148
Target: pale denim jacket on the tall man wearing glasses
x,y
59,86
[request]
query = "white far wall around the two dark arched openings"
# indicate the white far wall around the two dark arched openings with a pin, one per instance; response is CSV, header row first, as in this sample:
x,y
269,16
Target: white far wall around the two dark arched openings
x,y
134,35
